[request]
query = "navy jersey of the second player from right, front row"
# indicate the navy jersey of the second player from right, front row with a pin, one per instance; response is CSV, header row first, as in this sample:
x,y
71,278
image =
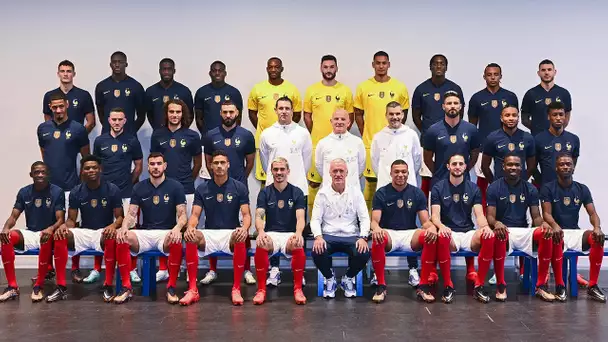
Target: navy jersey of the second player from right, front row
x,y
512,202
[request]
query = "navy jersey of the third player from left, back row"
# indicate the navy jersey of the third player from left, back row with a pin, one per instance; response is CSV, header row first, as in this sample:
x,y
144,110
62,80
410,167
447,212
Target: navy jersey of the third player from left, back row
x,y
157,95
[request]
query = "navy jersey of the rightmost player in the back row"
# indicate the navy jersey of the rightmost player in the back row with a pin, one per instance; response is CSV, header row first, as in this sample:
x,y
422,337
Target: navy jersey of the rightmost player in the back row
x,y
537,99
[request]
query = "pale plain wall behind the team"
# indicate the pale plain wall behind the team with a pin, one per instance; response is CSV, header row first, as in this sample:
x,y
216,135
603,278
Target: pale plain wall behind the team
x,y
517,34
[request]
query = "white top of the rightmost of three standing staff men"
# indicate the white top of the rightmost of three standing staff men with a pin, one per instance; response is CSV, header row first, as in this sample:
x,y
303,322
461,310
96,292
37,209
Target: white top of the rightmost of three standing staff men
x,y
389,145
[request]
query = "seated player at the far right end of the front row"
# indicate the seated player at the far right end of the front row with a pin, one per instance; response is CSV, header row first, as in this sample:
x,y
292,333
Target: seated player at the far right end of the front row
x,y
562,200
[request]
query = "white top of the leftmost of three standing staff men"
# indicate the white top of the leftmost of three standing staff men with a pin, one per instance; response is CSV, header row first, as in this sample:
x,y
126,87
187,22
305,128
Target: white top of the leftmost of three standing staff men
x,y
291,142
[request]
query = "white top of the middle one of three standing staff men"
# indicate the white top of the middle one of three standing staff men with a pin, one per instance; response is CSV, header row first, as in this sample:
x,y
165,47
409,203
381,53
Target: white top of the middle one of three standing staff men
x,y
346,146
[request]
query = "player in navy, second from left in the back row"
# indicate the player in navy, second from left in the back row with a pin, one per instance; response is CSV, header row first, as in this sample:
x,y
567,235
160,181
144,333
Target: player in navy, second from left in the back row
x,y
121,90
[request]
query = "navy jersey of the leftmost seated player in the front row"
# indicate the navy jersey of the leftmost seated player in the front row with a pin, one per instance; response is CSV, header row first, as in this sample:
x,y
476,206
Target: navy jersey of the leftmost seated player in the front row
x,y
40,206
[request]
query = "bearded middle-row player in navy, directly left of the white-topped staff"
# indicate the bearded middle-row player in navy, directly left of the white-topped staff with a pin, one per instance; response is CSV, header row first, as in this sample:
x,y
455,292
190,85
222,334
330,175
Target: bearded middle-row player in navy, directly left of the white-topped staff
x,y
239,145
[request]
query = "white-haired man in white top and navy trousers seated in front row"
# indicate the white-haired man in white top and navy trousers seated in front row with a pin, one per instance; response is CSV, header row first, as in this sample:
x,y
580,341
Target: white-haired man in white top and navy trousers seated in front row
x,y
340,223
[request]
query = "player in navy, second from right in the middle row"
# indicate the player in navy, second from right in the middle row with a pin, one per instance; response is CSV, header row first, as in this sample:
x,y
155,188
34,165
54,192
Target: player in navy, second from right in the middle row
x,y
508,139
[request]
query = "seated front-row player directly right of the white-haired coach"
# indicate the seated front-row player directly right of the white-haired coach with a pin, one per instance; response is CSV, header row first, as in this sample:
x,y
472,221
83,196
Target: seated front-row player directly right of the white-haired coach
x,y
394,210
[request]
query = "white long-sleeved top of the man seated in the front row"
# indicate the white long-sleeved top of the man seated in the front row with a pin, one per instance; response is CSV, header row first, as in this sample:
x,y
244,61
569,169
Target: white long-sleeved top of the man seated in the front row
x,y
337,214
